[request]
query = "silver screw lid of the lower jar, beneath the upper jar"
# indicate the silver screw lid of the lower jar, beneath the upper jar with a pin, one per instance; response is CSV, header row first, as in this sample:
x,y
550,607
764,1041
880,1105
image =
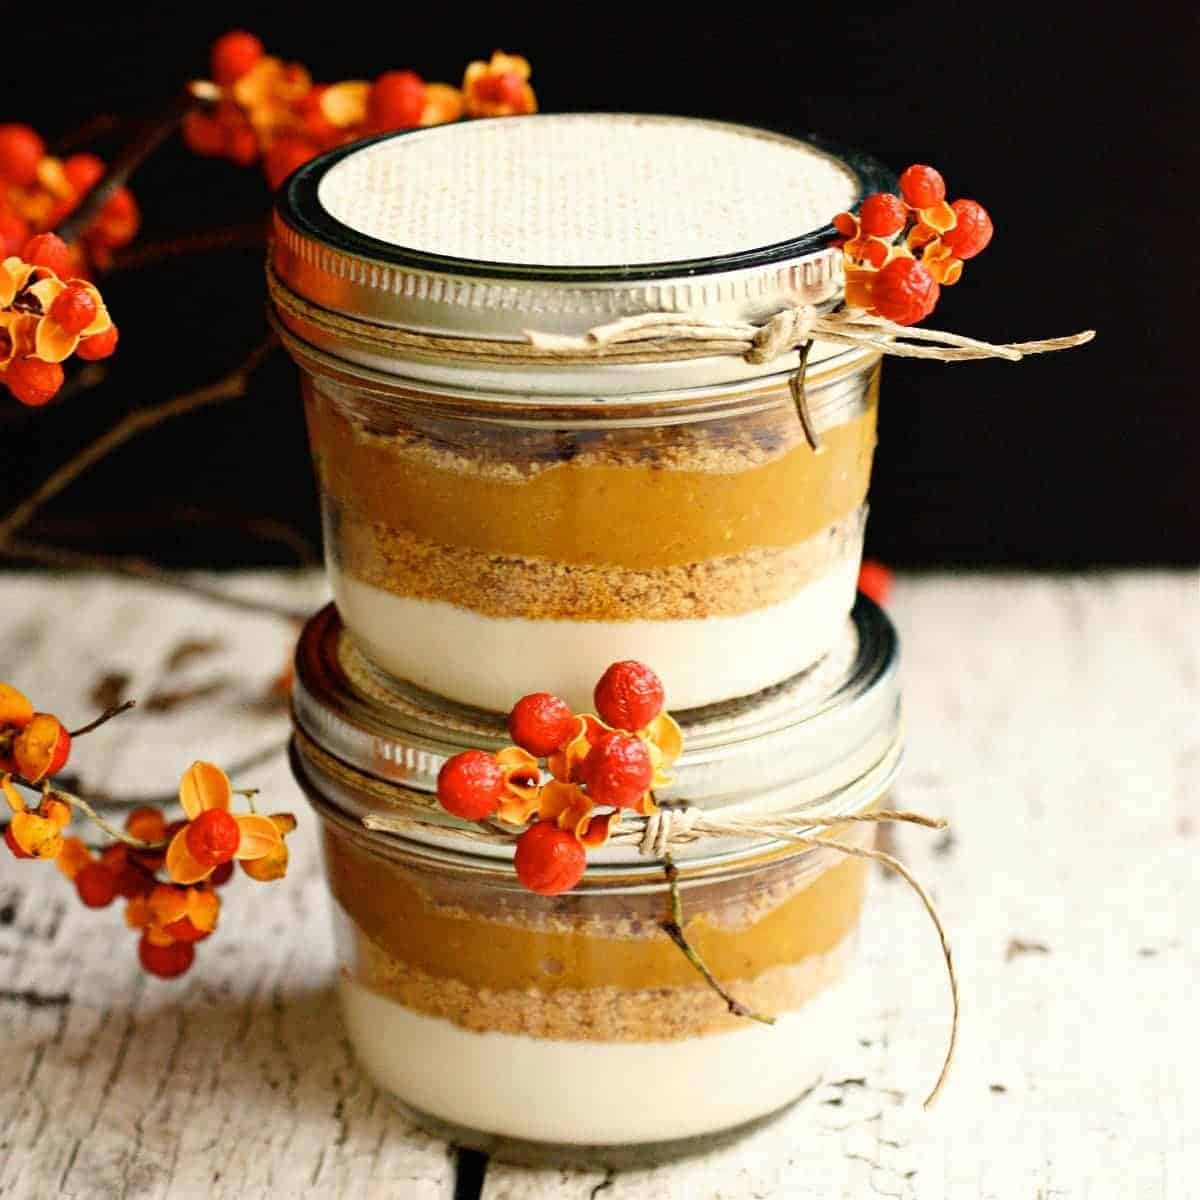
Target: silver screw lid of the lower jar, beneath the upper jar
x,y
831,733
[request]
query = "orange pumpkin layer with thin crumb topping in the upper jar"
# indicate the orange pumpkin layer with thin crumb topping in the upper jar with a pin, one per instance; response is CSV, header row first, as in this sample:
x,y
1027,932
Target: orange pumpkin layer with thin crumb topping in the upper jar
x,y
643,500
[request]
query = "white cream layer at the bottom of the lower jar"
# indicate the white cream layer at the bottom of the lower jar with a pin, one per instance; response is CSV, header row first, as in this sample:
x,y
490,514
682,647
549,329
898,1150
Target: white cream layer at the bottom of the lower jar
x,y
593,1093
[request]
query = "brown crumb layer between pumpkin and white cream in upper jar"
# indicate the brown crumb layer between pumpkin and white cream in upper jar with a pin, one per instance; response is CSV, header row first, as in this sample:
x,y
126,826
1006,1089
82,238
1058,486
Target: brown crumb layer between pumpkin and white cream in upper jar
x,y
538,589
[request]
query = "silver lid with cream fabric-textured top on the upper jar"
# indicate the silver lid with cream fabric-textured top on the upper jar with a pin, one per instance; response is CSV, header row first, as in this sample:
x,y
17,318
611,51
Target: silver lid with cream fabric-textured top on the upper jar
x,y
561,223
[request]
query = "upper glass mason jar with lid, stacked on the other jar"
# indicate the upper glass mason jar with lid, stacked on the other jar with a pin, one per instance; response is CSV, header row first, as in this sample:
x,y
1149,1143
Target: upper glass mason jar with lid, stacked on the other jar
x,y
499,525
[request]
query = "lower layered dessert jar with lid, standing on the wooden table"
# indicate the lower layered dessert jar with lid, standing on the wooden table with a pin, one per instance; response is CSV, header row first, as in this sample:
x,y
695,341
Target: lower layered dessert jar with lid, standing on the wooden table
x,y
573,1028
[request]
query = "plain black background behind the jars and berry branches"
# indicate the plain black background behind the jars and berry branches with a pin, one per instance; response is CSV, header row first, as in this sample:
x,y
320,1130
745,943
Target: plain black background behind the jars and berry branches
x,y
1077,131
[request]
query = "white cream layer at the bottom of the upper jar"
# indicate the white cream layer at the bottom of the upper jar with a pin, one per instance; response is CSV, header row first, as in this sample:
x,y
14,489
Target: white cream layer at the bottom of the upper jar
x,y
490,662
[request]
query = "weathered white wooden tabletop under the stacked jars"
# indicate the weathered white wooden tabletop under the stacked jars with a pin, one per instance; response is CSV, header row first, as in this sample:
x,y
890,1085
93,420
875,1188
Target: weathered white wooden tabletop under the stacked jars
x,y
1055,722
